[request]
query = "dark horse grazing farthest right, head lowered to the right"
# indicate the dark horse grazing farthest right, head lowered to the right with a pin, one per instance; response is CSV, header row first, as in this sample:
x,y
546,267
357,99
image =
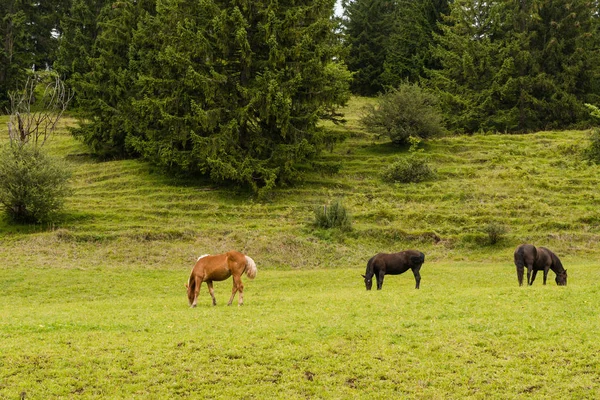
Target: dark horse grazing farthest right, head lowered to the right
x,y
538,259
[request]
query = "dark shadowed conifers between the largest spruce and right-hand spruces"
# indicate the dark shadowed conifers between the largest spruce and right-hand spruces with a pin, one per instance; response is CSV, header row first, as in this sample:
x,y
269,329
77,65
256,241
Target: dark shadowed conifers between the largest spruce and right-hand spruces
x,y
389,41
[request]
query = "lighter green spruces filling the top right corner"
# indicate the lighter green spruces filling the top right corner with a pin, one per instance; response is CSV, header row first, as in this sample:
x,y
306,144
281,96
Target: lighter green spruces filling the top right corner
x,y
516,66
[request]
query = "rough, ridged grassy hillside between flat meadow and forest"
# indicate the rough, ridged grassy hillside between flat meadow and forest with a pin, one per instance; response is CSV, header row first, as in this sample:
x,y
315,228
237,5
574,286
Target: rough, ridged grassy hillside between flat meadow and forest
x,y
535,185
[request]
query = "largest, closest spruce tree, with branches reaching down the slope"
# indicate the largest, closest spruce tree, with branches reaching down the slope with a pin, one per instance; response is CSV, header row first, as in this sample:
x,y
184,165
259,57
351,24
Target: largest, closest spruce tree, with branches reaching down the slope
x,y
235,90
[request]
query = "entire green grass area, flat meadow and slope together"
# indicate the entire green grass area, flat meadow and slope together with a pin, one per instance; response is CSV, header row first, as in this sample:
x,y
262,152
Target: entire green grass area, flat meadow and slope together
x,y
94,306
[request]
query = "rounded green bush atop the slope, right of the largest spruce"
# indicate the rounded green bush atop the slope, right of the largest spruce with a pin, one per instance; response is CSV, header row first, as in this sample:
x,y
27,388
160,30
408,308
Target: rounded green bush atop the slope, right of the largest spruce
x,y
404,112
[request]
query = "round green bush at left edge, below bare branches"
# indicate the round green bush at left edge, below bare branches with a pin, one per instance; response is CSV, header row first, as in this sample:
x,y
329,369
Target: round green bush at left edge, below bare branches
x,y
32,185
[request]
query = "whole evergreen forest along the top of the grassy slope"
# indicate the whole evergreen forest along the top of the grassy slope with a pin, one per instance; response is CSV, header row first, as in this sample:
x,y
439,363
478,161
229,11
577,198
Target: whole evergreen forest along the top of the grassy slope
x,y
236,91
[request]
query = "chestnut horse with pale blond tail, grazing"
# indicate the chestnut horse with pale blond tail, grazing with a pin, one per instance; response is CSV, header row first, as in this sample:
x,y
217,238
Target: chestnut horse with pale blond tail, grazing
x,y
219,267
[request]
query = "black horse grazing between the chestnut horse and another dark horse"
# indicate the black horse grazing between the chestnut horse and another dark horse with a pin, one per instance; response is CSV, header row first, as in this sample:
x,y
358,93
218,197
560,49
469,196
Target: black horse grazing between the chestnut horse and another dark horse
x,y
393,264
